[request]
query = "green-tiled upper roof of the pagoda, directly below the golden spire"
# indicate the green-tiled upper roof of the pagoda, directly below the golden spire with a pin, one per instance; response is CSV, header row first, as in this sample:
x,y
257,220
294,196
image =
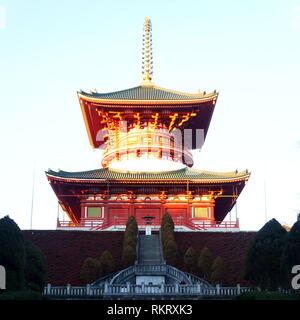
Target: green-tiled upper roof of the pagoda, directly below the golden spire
x,y
148,93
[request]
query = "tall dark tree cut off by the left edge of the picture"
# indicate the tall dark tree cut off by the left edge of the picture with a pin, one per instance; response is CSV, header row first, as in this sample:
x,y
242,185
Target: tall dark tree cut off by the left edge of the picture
x,y
12,253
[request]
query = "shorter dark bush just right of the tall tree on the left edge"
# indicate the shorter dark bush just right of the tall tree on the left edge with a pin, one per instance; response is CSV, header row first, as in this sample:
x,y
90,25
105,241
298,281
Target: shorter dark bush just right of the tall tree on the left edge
x,y
36,267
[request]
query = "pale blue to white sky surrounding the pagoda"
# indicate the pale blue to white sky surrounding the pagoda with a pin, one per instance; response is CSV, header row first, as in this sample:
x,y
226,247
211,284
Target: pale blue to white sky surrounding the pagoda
x,y
247,50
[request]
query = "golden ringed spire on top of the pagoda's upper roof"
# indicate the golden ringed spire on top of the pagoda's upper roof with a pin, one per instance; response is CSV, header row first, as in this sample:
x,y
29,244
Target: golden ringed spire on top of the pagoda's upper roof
x,y
147,68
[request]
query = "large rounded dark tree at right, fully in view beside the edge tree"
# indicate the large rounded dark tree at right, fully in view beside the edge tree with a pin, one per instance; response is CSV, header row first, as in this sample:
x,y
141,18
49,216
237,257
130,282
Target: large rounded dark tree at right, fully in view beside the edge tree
x,y
264,255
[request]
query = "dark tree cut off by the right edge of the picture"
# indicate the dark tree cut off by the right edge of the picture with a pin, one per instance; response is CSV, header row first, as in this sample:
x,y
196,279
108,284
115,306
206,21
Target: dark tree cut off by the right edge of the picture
x,y
291,253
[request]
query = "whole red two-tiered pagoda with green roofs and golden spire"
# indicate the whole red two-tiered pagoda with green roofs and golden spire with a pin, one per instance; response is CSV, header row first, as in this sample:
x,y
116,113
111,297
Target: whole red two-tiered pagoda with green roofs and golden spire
x,y
147,134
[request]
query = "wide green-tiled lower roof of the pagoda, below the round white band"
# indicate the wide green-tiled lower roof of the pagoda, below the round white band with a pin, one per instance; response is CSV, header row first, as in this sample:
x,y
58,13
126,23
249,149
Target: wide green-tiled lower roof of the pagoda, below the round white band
x,y
183,175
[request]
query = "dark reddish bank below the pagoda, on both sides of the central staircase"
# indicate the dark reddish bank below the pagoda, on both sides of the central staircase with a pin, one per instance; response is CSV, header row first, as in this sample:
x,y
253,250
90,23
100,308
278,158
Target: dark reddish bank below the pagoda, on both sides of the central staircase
x,y
66,250
